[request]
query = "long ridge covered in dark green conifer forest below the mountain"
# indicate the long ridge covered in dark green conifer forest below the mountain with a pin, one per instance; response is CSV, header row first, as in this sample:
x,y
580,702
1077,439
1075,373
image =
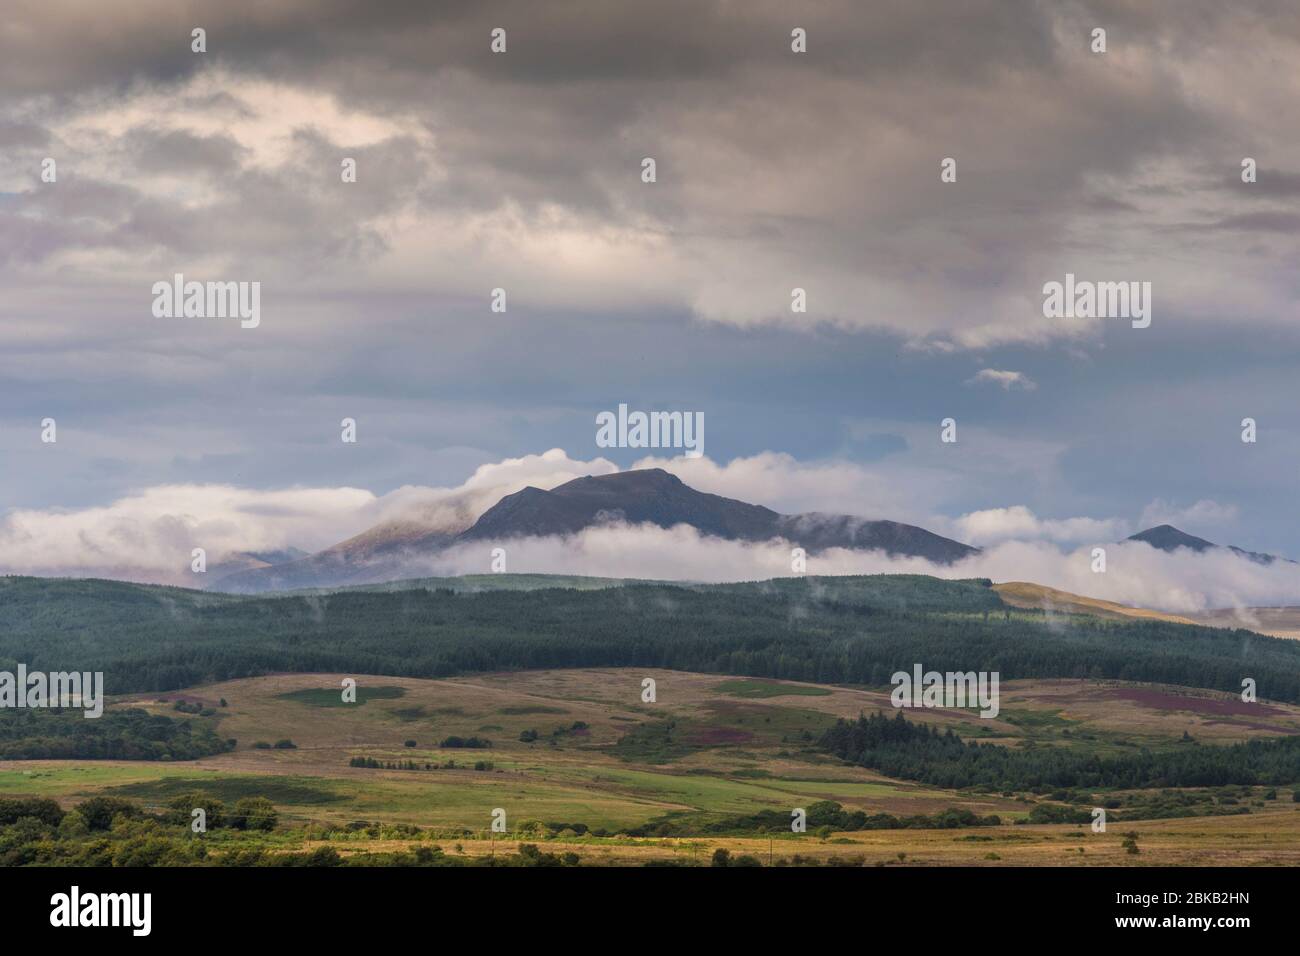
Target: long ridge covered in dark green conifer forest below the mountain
x,y
844,630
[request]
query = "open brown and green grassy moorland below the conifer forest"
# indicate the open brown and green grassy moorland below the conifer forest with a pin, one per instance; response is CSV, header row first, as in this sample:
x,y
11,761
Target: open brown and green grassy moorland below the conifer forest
x,y
579,762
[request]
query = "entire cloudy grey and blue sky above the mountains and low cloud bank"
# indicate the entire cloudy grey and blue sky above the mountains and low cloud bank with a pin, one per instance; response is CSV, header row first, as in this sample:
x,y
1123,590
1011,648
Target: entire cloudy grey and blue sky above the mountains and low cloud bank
x,y
774,171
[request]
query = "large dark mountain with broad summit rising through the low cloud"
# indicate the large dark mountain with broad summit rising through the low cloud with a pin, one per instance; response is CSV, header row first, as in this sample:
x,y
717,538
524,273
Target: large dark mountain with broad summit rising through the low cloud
x,y
651,496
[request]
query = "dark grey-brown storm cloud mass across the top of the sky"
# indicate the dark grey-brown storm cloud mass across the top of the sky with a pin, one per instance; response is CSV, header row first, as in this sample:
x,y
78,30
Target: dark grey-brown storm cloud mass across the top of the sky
x,y
826,163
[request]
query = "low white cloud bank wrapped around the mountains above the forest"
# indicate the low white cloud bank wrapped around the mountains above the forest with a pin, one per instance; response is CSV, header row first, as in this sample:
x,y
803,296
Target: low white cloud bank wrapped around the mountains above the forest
x,y
149,537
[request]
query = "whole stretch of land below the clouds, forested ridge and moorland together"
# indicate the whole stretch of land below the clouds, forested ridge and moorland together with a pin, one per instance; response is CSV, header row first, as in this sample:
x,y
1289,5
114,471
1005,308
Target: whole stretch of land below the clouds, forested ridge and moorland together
x,y
476,706
